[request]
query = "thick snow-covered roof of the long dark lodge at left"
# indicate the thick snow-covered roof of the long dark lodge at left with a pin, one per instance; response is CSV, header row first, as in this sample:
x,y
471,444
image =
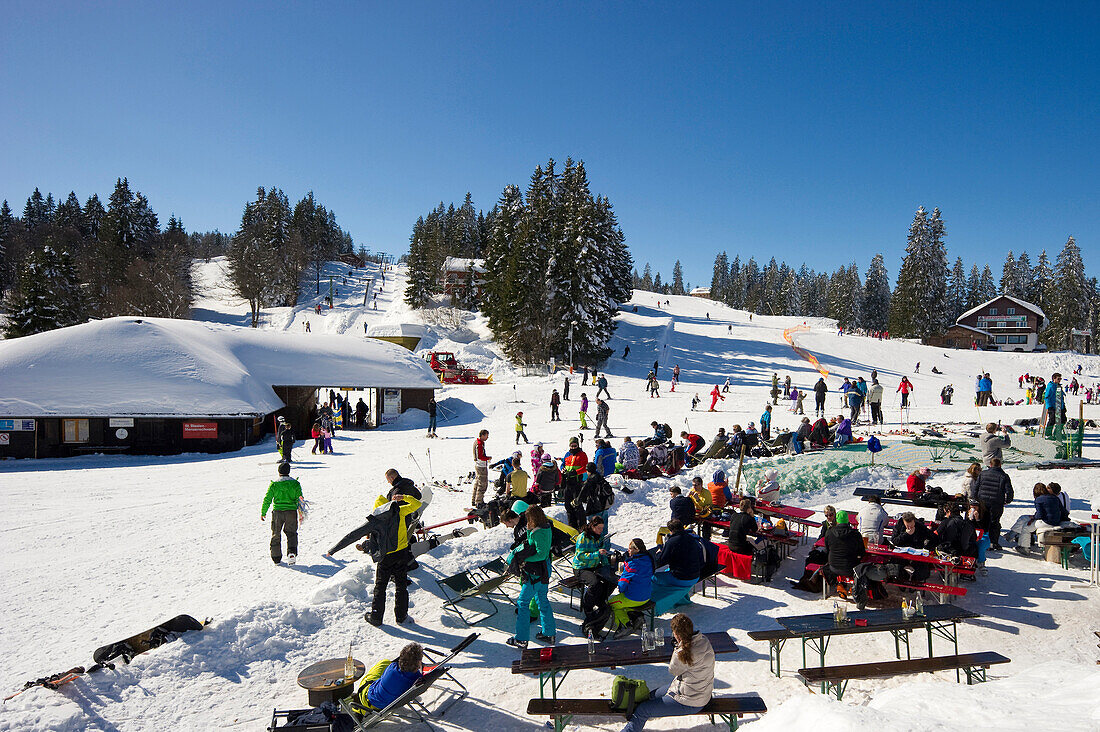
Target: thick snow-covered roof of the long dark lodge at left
x,y
160,367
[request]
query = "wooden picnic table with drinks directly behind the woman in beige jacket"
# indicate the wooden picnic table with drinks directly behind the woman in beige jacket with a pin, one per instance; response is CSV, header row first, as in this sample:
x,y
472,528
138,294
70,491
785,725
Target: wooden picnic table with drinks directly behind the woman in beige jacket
x,y
613,654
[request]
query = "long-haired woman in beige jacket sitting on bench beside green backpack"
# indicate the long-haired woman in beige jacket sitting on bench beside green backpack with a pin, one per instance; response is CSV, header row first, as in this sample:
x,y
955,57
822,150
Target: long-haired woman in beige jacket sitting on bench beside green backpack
x,y
691,691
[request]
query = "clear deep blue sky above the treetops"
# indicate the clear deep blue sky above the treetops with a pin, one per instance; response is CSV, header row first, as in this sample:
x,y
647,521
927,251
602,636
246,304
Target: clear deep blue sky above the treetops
x,y
806,132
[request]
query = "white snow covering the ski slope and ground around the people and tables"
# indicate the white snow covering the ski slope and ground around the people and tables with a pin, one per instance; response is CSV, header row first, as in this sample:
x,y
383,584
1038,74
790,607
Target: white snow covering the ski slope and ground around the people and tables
x,y
96,549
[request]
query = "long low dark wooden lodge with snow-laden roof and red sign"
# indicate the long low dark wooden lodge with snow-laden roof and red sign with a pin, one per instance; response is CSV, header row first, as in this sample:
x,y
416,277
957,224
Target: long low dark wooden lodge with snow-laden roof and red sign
x,y
164,387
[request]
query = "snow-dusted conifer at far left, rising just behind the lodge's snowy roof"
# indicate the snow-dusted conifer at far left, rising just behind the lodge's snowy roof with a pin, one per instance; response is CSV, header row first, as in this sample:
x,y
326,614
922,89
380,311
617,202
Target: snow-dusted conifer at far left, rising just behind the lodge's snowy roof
x,y
47,294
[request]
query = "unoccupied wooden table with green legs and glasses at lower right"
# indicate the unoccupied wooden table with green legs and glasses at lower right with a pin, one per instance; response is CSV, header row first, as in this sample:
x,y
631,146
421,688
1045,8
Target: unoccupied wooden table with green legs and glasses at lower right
x,y
816,631
